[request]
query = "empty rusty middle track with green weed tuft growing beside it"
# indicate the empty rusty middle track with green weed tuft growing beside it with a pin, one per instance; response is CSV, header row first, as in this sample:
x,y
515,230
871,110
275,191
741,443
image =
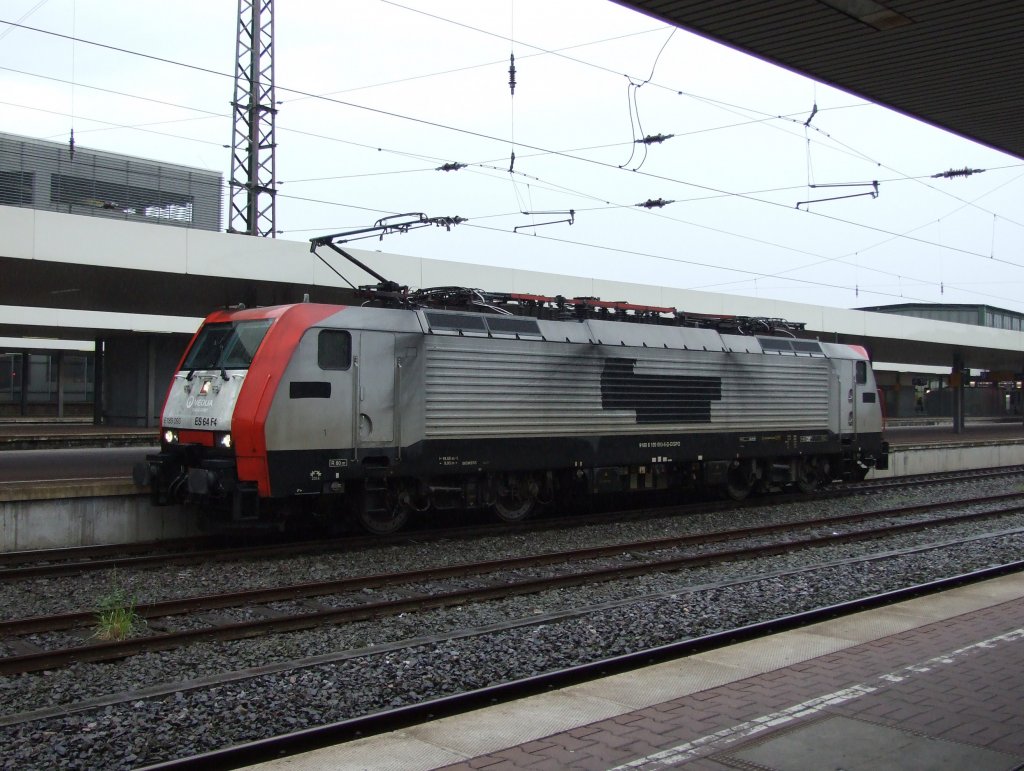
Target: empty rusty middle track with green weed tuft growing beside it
x,y
262,612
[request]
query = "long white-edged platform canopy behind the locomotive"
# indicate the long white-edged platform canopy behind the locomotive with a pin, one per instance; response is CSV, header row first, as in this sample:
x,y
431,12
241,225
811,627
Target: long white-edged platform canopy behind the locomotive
x,y
79,278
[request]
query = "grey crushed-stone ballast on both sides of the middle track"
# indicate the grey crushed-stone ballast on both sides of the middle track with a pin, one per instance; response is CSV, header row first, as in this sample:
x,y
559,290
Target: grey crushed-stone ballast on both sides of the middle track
x,y
389,663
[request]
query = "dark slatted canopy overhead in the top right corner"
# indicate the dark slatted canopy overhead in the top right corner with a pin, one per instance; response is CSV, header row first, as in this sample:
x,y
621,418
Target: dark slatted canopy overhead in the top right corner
x,y
954,64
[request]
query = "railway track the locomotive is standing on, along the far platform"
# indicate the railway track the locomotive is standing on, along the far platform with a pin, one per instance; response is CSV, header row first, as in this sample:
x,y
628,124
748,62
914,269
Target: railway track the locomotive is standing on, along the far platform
x,y
54,563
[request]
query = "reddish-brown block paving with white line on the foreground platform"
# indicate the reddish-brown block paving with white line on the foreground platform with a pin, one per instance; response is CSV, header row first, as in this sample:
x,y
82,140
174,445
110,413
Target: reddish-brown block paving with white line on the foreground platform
x,y
933,694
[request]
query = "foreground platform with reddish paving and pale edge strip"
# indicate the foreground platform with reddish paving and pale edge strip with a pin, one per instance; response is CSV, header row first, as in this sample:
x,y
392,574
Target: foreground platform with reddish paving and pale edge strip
x,y
931,683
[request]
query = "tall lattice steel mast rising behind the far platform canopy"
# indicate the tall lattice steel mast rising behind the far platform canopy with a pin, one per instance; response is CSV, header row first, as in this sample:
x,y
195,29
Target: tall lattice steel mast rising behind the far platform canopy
x,y
253,170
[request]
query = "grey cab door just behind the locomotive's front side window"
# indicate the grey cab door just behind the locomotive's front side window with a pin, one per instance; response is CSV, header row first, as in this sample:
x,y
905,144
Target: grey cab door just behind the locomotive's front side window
x,y
375,367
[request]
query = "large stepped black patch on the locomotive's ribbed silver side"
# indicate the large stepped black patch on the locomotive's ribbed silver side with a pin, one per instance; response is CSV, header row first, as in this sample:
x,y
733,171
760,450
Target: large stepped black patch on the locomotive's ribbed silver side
x,y
658,399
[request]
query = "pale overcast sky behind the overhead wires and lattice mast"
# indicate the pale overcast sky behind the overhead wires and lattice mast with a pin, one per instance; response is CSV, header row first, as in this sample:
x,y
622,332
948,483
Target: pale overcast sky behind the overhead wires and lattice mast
x,y
374,96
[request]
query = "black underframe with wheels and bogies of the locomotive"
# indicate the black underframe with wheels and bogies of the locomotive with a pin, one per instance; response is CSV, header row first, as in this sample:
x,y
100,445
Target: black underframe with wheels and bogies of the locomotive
x,y
382,488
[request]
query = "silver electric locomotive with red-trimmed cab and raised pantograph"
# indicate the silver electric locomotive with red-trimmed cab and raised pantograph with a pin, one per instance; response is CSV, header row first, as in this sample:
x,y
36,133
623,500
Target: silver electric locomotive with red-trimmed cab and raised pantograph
x,y
462,400
